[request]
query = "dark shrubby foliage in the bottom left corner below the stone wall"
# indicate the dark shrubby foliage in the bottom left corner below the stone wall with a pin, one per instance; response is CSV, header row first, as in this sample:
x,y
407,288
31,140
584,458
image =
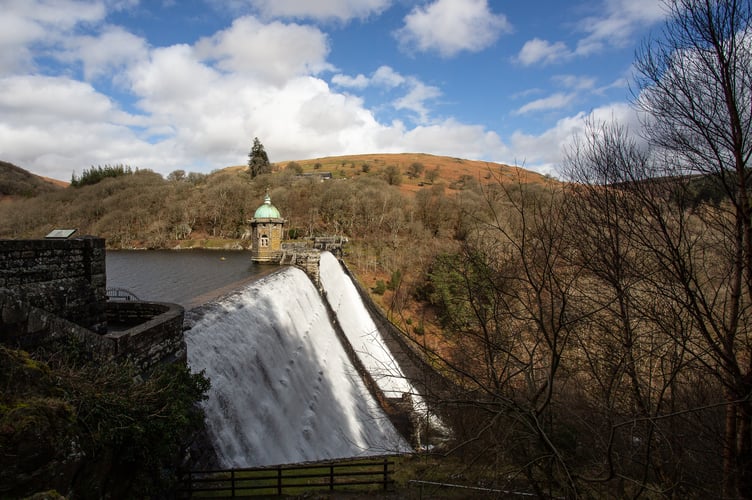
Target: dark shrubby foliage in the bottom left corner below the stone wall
x,y
125,437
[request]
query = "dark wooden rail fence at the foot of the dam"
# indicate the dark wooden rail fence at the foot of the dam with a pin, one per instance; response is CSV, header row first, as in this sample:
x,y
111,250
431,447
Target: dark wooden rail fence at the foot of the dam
x,y
365,475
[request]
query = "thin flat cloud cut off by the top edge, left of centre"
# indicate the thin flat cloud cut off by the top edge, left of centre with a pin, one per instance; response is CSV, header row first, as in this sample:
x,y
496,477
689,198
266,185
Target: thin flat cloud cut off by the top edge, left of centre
x,y
341,10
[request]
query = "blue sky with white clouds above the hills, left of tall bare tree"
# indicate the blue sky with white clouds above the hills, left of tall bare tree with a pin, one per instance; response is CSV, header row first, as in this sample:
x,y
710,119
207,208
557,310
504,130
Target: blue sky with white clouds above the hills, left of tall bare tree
x,y
171,84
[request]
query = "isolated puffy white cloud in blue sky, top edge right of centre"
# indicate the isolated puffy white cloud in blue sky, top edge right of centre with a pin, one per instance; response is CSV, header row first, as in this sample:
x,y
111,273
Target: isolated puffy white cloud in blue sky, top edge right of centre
x,y
452,26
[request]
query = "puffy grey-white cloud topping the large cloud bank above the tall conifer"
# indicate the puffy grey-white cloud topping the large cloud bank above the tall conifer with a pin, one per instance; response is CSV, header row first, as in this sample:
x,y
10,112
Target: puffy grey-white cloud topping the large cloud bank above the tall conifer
x,y
274,52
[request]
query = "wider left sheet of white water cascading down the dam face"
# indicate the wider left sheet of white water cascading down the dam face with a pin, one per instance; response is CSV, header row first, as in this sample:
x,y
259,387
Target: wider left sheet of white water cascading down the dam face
x,y
283,389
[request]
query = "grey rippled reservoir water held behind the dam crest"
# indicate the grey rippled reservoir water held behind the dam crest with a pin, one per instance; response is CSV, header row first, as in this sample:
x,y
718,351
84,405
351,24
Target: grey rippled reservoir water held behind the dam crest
x,y
186,277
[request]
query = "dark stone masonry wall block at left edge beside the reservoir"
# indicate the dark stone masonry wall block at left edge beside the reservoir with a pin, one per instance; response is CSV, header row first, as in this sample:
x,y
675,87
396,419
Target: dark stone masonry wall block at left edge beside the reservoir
x,y
65,277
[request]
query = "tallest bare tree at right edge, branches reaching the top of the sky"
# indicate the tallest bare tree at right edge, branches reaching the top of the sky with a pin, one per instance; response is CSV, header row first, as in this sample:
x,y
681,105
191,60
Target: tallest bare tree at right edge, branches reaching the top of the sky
x,y
696,90
